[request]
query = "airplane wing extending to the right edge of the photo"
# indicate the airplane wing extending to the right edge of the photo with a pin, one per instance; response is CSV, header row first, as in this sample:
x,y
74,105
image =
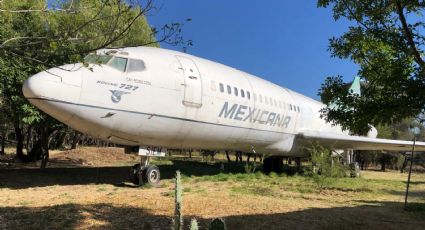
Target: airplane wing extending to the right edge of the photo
x,y
339,141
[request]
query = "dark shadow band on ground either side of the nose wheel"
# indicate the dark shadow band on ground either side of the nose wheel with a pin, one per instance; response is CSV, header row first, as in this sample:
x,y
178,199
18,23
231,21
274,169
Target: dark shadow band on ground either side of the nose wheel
x,y
116,175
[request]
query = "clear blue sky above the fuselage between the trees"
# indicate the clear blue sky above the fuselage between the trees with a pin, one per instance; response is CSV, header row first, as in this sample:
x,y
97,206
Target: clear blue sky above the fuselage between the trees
x,y
283,41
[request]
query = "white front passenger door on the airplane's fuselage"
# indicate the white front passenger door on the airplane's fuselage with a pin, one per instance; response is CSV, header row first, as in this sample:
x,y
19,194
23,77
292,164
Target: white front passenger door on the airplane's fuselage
x,y
192,83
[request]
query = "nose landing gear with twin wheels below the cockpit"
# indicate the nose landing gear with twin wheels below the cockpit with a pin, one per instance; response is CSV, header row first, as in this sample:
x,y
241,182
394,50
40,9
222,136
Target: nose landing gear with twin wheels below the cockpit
x,y
144,173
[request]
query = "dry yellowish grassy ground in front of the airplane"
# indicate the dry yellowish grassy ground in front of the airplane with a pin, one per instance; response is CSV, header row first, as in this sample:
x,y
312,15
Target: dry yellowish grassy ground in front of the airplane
x,y
79,193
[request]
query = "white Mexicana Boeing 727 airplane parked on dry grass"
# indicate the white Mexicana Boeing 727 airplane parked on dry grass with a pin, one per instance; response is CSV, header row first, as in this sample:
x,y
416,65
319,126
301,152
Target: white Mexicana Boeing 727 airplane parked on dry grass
x,y
154,99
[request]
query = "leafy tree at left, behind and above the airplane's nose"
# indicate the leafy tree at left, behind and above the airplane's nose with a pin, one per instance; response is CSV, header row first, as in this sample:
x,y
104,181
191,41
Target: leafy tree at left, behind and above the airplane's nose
x,y
35,35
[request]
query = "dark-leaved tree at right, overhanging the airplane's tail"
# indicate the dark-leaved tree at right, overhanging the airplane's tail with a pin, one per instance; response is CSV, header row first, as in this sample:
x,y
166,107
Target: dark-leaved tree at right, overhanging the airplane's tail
x,y
386,41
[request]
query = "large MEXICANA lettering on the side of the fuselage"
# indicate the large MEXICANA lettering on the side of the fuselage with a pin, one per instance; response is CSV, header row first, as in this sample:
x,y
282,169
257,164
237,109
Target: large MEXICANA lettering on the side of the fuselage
x,y
253,115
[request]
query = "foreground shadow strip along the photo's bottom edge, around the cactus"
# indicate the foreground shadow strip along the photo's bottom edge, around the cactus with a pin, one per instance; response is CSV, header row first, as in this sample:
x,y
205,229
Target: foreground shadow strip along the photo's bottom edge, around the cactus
x,y
386,215
